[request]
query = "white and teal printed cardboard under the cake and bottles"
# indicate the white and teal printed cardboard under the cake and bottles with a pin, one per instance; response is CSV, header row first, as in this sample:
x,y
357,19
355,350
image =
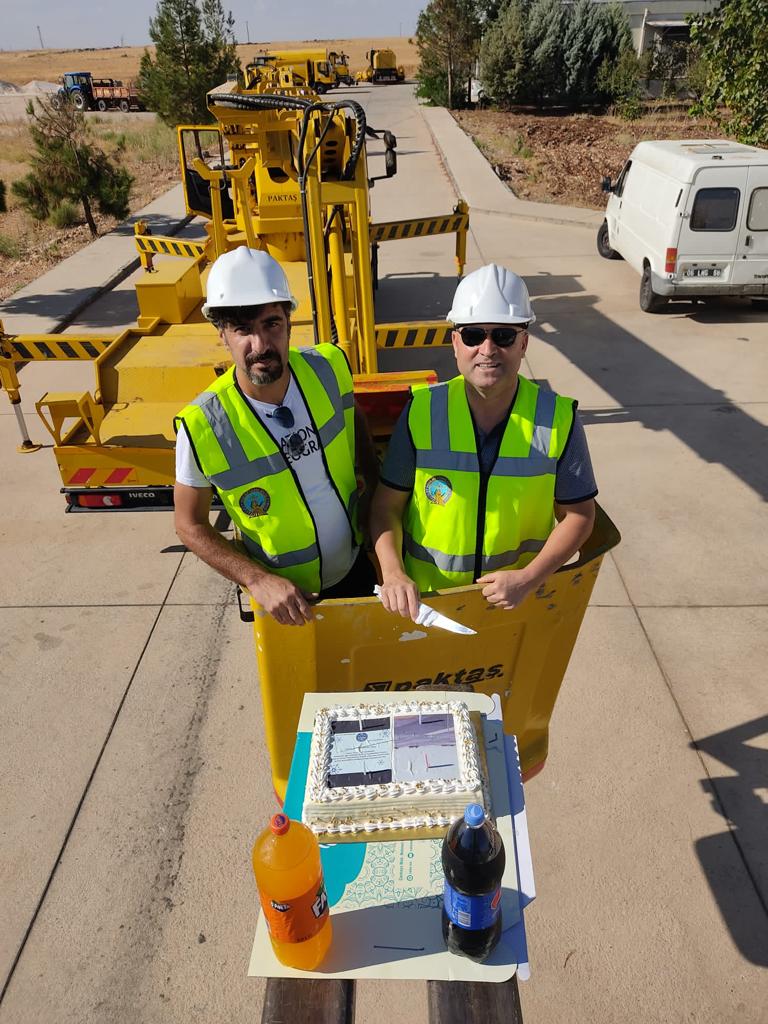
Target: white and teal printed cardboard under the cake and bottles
x,y
387,897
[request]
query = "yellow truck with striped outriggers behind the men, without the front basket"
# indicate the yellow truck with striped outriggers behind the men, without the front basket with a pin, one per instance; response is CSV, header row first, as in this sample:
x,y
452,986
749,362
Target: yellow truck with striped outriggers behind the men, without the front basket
x,y
280,172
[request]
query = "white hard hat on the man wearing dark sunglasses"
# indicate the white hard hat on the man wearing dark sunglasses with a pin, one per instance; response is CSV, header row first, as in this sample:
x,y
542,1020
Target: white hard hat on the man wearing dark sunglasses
x,y
492,295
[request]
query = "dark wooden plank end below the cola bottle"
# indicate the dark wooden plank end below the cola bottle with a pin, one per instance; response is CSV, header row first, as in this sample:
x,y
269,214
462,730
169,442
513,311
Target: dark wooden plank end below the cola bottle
x,y
475,1003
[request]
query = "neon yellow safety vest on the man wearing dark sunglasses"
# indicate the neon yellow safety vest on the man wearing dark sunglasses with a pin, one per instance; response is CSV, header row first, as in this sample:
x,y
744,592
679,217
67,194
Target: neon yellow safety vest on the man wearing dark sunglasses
x,y
458,526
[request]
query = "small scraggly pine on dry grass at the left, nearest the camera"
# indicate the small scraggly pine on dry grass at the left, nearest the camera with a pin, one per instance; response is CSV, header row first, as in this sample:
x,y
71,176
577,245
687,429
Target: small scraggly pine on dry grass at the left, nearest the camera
x,y
69,166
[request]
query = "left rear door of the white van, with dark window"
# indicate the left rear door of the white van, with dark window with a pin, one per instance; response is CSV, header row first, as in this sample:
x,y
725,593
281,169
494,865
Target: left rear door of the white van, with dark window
x,y
711,225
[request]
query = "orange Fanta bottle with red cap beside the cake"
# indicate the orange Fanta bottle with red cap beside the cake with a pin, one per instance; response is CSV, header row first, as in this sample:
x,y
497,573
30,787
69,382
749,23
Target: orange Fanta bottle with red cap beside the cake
x,y
289,876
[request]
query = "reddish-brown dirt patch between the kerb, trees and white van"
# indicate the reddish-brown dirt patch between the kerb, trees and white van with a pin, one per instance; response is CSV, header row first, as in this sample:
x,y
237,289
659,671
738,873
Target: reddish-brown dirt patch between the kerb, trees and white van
x,y
563,158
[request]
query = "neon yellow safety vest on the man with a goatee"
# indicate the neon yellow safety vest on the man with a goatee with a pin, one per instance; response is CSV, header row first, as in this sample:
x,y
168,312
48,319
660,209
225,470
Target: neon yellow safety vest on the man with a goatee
x,y
258,486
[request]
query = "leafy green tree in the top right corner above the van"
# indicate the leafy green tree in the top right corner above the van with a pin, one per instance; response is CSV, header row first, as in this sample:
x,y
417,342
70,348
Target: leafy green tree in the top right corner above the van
x,y
734,42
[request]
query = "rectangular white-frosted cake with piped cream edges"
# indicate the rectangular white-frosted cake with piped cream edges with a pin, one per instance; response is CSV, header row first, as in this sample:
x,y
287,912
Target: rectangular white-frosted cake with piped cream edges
x,y
423,803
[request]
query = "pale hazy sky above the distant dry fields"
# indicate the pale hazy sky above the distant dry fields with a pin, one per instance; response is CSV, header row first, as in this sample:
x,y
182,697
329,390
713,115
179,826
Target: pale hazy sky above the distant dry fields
x,y
80,24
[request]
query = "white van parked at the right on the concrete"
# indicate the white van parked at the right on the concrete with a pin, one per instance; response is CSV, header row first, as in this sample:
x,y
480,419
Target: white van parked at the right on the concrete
x,y
692,218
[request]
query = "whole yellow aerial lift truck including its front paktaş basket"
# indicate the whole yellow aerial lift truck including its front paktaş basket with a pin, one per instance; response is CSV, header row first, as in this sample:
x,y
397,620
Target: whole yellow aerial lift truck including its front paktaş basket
x,y
284,173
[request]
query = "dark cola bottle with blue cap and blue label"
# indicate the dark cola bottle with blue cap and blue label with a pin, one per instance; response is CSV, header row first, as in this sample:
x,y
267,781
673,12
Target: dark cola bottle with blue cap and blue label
x,y
474,862
